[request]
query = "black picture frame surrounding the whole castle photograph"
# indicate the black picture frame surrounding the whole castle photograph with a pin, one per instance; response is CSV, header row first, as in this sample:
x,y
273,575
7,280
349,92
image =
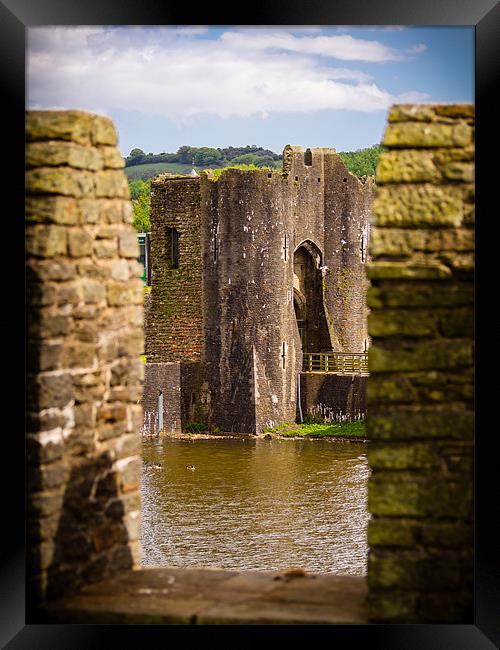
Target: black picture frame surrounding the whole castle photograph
x,y
18,15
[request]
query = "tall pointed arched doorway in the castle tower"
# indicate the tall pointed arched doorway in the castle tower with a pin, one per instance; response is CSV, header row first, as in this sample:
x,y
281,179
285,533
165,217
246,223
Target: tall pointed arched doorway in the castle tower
x,y
308,298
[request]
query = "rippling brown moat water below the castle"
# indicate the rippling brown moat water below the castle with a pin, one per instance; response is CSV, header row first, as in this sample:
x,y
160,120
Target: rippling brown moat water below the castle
x,y
255,504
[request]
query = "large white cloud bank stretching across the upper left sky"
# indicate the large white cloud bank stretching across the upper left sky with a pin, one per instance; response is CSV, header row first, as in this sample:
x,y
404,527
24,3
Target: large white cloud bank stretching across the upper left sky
x,y
171,73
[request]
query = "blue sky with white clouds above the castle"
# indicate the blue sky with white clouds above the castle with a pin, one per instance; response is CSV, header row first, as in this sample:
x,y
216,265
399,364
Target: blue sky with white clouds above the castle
x,y
207,86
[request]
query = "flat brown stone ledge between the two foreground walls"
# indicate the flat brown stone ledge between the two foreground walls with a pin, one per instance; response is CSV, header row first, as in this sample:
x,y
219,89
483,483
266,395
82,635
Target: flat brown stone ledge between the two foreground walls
x,y
205,596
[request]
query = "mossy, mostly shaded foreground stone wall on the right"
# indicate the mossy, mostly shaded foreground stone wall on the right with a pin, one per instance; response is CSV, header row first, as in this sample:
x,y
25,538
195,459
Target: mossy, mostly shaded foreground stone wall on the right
x,y
420,392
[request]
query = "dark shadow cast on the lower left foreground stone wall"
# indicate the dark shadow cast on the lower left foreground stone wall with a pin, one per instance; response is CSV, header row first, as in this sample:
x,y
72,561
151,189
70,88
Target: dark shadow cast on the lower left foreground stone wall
x,y
91,539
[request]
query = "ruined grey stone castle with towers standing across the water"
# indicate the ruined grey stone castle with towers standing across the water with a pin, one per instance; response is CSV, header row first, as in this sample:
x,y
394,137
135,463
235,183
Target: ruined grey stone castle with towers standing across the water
x,y
251,271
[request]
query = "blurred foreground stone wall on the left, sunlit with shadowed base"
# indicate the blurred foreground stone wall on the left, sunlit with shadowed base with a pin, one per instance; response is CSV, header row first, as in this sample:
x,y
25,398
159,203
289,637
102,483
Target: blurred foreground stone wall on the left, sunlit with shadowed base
x,y
84,374
